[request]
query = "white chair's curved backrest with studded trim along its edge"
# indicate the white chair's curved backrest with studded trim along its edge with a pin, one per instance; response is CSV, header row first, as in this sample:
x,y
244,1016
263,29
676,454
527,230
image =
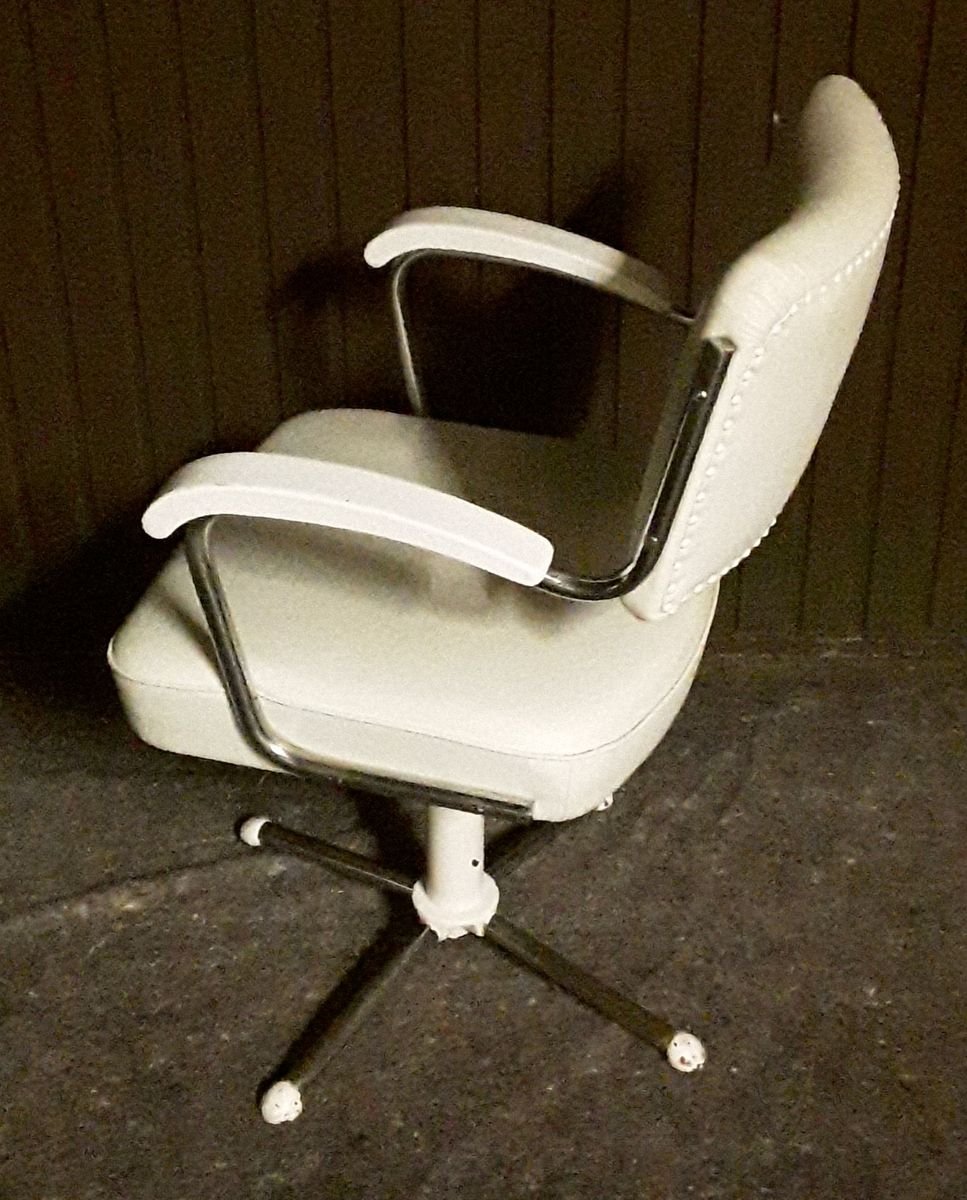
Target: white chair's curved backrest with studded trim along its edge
x,y
794,307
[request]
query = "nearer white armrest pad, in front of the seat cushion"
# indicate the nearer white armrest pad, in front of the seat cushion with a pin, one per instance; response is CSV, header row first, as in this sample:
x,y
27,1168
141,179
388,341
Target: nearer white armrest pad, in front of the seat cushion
x,y
285,488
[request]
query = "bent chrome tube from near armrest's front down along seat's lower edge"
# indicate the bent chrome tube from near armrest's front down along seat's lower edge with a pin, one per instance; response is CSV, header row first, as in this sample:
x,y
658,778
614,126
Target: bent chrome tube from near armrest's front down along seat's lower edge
x,y
255,729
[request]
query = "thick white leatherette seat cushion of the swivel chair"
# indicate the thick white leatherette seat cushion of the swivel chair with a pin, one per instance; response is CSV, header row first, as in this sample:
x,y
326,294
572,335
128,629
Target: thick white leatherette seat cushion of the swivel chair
x,y
406,664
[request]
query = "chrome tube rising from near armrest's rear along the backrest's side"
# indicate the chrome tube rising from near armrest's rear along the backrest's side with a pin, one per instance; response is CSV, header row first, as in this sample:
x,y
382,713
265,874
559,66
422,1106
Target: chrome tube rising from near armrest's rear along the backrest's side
x,y
704,391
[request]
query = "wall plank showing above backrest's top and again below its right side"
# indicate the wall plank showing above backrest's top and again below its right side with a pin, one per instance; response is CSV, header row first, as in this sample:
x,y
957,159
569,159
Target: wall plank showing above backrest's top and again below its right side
x,y
812,41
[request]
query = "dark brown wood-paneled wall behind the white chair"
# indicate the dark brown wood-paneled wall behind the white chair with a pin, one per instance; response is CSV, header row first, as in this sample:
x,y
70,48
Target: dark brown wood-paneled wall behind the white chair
x,y
187,188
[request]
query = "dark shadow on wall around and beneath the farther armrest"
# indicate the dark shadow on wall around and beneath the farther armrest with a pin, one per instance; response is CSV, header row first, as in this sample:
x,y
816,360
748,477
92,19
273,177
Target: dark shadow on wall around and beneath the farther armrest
x,y
497,346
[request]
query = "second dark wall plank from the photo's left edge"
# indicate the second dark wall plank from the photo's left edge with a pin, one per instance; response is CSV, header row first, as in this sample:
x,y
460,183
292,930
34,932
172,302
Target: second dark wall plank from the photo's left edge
x,y
94,244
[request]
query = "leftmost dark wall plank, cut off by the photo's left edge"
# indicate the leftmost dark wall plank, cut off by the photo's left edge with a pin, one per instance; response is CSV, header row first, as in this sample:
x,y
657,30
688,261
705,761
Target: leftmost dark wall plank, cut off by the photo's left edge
x,y
49,439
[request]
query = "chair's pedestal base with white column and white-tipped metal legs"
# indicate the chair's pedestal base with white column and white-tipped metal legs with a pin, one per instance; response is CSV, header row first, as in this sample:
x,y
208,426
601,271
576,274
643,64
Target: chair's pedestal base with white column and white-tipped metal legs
x,y
457,897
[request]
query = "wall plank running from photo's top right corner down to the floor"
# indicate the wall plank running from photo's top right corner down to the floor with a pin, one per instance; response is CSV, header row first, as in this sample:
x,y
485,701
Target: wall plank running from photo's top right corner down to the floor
x,y
923,389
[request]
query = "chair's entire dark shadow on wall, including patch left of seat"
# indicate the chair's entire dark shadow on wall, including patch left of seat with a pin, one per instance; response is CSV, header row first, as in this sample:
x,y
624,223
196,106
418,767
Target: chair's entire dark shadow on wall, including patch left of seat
x,y
500,347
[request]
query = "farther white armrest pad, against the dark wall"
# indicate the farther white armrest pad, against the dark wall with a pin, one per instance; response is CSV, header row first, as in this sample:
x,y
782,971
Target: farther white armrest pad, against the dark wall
x,y
527,243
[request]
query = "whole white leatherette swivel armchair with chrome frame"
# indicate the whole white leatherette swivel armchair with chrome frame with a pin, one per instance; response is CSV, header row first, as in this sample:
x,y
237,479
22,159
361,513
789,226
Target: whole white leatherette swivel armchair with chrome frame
x,y
470,617
